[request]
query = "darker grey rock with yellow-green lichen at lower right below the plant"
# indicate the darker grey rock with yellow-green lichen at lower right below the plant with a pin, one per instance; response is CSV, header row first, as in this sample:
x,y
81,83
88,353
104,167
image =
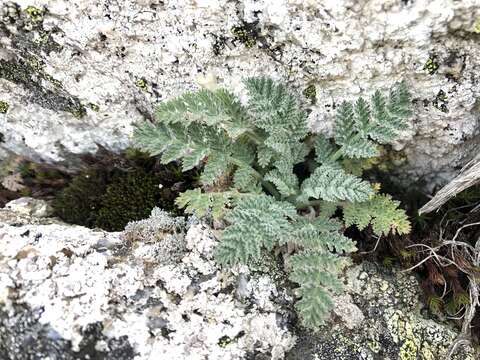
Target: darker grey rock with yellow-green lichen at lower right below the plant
x,y
383,320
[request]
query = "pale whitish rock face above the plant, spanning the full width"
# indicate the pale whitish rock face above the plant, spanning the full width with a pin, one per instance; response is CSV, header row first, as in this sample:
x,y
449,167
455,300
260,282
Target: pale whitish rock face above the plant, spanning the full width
x,y
77,74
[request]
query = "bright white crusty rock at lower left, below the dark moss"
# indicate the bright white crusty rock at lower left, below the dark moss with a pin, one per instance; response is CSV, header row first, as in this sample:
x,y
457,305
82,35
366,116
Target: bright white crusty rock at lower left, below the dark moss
x,y
80,292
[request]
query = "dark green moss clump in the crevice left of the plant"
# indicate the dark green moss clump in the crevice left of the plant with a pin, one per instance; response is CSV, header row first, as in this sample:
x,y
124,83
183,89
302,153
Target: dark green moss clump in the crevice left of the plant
x,y
117,190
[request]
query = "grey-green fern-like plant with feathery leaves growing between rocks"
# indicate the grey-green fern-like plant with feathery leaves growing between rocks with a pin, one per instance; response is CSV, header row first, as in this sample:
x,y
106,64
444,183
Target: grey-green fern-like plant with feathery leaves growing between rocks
x,y
249,155
